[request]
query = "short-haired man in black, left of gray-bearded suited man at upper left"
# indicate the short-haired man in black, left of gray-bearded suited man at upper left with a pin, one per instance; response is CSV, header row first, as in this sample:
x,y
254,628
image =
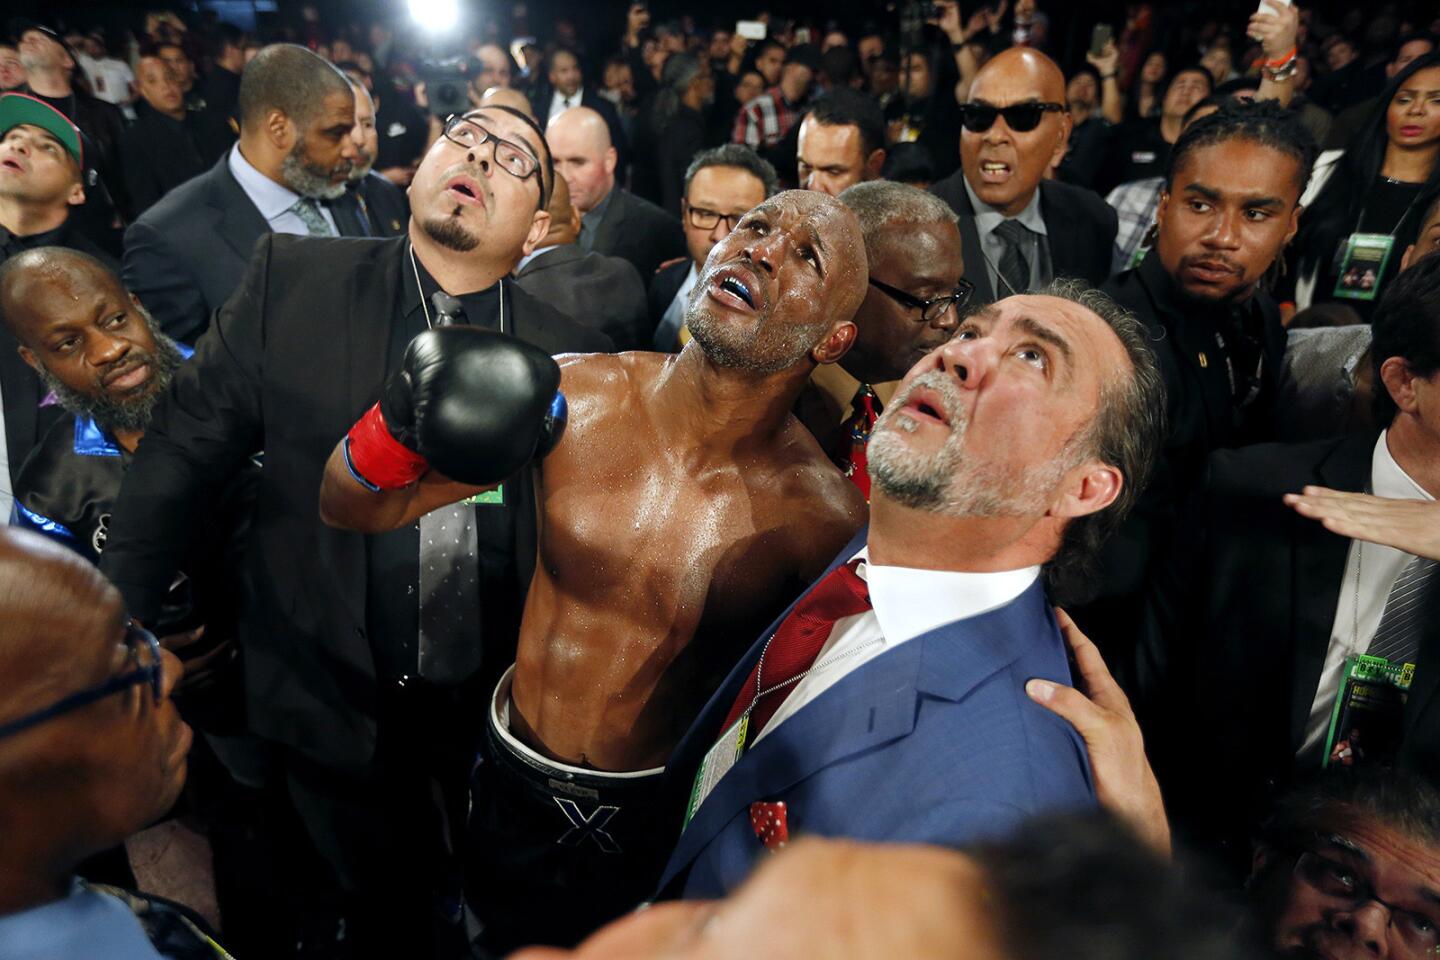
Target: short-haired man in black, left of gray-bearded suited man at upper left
x,y
162,149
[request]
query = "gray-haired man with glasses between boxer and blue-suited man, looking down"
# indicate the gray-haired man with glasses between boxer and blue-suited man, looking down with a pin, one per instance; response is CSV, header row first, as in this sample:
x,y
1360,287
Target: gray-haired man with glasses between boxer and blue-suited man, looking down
x,y
917,297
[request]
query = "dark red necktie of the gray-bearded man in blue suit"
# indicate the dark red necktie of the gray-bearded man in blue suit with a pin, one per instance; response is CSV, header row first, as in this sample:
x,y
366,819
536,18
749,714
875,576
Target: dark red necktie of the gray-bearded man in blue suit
x,y
797,644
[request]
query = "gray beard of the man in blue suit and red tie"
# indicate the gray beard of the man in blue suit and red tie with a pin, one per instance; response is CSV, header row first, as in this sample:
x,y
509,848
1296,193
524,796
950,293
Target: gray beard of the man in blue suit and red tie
x,y
948,483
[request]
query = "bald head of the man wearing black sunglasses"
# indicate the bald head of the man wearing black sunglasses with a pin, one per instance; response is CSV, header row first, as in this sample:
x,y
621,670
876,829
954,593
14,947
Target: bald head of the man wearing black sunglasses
x,y
1006,165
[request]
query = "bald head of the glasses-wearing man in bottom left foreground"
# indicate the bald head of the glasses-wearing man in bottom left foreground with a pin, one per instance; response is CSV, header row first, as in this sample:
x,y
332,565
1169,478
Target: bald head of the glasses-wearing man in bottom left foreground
x,y
81,781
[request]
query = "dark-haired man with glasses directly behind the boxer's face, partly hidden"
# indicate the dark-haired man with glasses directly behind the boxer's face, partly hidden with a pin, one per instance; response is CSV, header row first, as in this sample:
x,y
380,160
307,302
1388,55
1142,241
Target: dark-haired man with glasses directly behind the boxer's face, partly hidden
x,y
722,186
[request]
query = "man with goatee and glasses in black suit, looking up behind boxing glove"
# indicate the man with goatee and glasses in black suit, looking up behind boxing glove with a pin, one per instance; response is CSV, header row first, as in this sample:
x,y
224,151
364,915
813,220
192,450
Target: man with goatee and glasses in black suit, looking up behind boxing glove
x,y
335,676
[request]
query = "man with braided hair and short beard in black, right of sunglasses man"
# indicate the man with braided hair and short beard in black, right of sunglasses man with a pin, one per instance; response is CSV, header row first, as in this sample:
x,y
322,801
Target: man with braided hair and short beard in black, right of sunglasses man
x,y
1229,207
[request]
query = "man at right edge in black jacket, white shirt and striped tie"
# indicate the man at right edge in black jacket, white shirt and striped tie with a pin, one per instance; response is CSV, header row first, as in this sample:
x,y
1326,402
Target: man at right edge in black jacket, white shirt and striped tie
x,y
1261,608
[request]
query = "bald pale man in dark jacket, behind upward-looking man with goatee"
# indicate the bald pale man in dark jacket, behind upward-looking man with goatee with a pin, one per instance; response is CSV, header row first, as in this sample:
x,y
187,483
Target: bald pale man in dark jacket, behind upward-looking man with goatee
x,y
613,221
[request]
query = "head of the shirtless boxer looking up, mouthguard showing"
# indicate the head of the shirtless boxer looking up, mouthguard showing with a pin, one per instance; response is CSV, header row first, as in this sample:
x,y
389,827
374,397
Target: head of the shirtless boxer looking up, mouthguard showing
x,y
784,287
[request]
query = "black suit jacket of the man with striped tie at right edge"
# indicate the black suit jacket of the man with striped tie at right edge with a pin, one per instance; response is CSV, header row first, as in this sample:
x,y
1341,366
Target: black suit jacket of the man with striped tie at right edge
x,y
1241,625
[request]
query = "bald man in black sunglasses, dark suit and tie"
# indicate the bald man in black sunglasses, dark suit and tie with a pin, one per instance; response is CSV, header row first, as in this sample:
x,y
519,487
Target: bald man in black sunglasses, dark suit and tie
x,y
1019,230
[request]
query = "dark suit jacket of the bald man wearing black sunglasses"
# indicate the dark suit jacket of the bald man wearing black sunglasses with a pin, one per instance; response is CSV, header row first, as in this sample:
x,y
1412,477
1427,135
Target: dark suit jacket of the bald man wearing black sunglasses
x,y
1081,231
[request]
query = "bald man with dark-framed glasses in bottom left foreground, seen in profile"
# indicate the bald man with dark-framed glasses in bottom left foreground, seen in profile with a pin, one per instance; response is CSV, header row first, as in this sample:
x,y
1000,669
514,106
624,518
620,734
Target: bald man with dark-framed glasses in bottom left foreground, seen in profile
x,y
91,752
